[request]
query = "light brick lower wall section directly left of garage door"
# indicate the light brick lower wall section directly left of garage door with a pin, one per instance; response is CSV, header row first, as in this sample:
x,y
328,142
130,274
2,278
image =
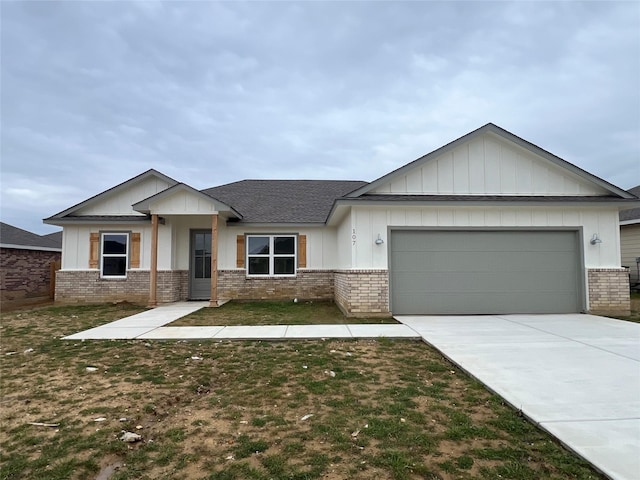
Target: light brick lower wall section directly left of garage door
x,y
362,292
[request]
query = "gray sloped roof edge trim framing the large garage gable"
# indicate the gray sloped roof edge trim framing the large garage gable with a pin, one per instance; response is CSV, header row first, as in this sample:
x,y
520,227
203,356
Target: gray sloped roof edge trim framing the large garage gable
x,y
494,129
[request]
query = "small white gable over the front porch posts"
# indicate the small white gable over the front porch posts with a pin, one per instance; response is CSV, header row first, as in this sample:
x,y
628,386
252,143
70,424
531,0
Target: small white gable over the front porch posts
x,y
181,199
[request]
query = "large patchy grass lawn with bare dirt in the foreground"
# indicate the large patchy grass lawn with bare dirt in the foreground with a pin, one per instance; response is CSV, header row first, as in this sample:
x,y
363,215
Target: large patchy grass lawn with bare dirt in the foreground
x,y
251,410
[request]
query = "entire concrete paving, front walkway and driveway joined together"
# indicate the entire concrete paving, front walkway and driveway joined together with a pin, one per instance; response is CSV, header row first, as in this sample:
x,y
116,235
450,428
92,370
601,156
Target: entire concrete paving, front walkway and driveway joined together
x,y
577,376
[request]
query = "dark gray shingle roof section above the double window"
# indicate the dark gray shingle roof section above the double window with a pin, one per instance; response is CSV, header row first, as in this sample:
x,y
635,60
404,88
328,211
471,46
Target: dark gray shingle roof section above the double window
x,y
283,201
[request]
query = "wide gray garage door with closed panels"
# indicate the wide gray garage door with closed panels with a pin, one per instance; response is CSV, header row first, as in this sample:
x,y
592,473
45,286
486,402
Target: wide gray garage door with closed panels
x,y
484,272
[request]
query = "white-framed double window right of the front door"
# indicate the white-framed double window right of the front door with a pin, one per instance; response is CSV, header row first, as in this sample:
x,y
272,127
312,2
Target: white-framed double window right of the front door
x,y
271,255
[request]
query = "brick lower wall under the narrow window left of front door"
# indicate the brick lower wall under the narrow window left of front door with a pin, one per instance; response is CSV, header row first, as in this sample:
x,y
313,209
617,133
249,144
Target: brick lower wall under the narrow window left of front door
x,y
87,287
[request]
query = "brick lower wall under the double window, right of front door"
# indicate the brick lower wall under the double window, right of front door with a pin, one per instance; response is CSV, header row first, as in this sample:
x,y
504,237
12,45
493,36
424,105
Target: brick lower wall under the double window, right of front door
x,y
306,285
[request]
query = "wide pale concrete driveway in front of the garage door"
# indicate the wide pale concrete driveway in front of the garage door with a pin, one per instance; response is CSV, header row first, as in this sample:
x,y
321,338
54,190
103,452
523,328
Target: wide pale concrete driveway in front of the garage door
x,y
577,376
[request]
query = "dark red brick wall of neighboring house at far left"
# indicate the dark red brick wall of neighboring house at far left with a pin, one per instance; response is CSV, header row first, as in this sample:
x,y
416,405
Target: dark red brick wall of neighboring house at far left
x,y
25,275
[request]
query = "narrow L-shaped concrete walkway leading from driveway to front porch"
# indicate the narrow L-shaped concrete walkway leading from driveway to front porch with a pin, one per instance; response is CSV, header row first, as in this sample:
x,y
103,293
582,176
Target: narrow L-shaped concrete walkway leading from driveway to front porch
x,y
149,325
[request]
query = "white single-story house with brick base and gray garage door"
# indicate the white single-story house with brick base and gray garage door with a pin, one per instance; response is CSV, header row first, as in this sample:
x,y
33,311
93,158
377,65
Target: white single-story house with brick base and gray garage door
x,y
488,223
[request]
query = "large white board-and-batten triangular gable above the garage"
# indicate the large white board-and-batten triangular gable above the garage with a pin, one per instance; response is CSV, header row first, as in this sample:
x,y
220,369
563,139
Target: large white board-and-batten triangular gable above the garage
x,y
491,161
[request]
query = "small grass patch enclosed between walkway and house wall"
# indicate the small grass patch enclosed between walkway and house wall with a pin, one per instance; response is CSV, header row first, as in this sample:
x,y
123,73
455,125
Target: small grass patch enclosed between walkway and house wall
x,y
273,313
